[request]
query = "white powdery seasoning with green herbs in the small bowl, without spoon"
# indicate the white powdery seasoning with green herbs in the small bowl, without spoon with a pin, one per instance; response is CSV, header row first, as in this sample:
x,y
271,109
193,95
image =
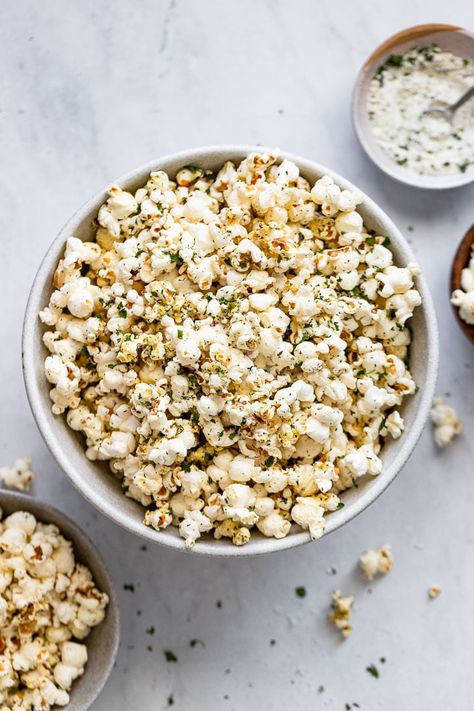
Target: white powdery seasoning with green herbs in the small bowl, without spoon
x,y
406,86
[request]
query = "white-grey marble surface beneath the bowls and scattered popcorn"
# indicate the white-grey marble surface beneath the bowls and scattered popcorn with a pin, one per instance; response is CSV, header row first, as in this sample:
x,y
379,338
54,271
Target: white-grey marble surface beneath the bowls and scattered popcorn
x,y
88,90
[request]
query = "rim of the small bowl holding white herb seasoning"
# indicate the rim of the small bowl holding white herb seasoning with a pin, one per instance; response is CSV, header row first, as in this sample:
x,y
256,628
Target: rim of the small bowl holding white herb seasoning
x,y
402,175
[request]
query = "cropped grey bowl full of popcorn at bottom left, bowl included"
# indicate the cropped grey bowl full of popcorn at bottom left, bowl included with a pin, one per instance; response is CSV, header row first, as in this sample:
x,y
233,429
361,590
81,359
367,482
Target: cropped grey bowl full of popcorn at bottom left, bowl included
x,y
59,614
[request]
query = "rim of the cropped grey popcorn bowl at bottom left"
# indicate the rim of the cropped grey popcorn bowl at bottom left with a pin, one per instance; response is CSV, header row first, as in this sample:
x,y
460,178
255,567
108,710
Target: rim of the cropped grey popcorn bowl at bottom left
x,y
44,512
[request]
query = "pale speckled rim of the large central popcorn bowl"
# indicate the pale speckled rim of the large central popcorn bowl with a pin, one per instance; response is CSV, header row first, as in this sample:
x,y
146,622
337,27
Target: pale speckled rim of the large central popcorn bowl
x,y
264,545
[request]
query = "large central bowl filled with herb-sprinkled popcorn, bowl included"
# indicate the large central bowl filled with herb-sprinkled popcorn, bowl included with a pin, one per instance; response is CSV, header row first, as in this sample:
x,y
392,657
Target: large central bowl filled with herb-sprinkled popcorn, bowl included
x,y
230,350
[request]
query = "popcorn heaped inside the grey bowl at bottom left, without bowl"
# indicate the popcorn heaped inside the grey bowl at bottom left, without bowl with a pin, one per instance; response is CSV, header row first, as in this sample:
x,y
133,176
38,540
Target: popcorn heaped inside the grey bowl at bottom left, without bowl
x,y
47,600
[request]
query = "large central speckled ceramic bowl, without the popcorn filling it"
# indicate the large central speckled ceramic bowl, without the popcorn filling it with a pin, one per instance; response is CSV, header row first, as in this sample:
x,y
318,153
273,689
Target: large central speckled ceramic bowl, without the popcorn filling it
x,y
94,480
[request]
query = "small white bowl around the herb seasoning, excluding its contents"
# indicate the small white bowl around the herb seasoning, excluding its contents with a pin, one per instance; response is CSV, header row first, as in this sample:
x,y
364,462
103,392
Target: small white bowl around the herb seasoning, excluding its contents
x,y
449,38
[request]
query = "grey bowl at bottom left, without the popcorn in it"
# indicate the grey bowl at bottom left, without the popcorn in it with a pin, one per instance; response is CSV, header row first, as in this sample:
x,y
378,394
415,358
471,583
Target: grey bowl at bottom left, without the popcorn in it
x,y
103,641
